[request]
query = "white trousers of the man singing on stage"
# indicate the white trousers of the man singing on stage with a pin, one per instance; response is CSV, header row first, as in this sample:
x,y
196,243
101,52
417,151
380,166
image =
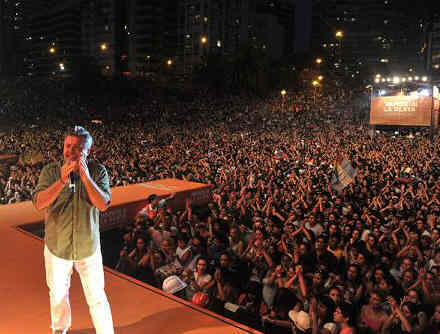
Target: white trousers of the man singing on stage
x,y
91,272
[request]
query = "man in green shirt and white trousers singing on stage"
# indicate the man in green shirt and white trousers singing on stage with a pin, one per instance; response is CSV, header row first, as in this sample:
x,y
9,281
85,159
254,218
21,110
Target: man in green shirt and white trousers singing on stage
x,y
72,193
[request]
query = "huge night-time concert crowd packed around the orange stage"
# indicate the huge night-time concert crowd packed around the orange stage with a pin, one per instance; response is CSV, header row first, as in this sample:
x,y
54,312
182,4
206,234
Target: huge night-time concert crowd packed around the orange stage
x,y
277,248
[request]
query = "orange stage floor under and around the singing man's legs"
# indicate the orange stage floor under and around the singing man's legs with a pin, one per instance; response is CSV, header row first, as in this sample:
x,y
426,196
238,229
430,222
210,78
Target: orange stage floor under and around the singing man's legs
x,y
137,307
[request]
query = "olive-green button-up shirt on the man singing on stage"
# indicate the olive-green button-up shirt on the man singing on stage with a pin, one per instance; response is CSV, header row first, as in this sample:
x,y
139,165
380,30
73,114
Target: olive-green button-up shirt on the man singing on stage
x,y
71,221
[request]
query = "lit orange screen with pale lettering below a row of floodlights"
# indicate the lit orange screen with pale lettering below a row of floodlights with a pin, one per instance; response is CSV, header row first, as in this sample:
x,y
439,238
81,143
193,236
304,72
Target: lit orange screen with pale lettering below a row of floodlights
x,y
401,110
